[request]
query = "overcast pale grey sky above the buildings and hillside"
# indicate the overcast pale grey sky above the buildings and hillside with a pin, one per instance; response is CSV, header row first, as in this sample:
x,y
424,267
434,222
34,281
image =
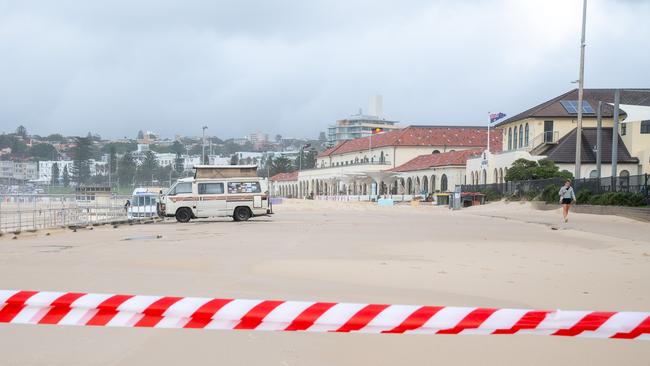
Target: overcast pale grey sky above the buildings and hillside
x,y
293,67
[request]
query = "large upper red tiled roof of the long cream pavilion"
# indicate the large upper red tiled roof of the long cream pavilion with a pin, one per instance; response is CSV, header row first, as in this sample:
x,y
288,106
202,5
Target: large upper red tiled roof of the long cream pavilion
x,y
420,136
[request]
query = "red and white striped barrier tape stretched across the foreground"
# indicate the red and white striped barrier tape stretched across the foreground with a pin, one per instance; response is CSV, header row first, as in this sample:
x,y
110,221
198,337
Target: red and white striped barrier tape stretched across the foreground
x,y
69,308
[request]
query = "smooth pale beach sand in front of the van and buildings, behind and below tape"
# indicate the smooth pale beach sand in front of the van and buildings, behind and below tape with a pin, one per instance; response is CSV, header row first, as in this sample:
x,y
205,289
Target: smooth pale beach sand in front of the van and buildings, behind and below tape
x,y
498,255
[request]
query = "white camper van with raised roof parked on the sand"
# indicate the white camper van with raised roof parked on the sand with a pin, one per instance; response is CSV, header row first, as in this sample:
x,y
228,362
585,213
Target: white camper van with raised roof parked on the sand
x,y
233,190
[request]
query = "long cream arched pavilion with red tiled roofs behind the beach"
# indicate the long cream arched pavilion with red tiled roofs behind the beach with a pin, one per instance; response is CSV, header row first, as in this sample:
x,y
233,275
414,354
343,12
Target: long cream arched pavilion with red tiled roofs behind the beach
x,y
413,160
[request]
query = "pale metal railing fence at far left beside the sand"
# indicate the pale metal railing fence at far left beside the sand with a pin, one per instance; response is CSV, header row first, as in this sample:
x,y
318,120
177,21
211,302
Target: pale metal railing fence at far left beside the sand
x,y
34,212
